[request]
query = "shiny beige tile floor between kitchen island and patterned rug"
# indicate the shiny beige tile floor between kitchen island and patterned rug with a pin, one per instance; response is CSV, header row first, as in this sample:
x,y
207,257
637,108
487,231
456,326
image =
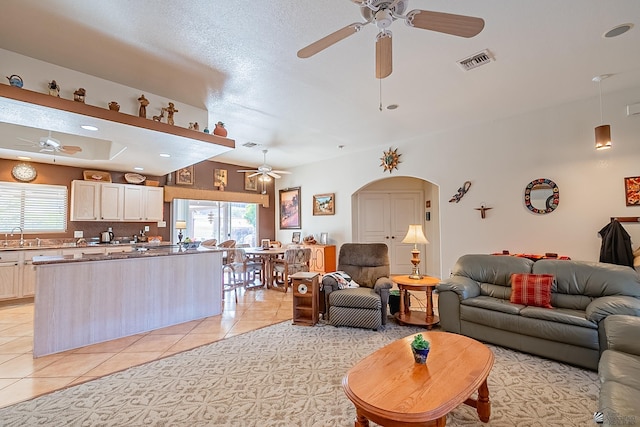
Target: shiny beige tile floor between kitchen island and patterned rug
x,y
23,377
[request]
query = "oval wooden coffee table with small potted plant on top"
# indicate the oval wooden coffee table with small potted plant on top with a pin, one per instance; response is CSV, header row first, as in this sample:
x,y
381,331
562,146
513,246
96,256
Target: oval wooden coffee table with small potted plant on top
x,y
389,388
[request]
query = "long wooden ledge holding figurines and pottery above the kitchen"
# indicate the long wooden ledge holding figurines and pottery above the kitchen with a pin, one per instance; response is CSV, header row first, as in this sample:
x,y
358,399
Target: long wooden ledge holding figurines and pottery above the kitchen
x,y
48,101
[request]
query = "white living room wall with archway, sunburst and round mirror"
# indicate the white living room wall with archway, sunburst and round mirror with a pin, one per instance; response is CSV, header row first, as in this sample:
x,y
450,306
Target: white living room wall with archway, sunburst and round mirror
x,y
500,158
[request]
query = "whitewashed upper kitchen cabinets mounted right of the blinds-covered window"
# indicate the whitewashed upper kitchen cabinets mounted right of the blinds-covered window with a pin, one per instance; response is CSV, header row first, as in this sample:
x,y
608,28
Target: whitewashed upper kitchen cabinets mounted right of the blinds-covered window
x,y
99,201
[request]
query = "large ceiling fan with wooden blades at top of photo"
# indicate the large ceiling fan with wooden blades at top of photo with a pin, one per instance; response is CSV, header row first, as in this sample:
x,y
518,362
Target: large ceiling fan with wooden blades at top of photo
x,y
383,13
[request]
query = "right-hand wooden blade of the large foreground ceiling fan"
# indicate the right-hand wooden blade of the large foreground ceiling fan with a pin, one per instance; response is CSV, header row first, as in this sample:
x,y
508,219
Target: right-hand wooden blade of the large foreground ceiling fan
x,y
456,25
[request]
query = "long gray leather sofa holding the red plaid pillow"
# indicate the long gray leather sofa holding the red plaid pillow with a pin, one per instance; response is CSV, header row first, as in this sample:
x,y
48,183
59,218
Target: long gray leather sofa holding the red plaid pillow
x,y
474,302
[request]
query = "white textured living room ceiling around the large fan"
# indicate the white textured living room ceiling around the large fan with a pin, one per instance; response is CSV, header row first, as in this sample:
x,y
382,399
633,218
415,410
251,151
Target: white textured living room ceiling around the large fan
x,y
237,59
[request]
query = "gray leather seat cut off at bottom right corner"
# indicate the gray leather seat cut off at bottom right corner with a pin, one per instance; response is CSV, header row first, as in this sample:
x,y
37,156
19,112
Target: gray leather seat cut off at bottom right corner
x,y
619,372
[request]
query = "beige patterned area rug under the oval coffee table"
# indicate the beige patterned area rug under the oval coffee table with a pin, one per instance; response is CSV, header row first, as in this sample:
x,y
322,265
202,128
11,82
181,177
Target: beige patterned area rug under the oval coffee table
x,y
285,375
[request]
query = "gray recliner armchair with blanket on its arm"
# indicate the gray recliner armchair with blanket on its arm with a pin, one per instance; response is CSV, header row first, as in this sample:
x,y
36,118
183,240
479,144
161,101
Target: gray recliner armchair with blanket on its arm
x,y
365,306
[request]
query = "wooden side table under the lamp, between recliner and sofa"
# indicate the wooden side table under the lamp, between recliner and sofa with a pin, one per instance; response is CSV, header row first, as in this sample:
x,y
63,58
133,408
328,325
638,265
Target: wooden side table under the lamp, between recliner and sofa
x,y
412,317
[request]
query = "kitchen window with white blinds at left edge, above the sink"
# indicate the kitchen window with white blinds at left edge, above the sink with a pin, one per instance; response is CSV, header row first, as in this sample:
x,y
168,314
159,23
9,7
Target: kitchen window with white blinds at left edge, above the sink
x,y
36,208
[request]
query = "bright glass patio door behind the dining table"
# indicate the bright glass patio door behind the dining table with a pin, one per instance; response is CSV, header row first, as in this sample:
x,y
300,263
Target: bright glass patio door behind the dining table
x,y
208,219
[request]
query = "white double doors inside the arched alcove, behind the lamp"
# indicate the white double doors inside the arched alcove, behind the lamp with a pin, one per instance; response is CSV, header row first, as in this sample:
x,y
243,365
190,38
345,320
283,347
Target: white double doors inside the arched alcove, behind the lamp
x,y
385,218
